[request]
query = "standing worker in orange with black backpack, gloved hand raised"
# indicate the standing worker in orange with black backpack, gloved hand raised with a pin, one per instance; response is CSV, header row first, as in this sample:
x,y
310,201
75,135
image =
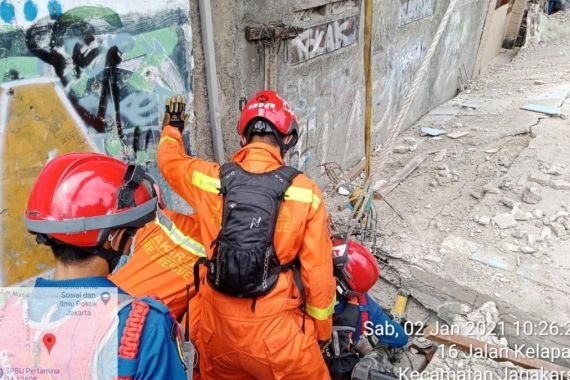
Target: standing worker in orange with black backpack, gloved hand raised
x,y
271,327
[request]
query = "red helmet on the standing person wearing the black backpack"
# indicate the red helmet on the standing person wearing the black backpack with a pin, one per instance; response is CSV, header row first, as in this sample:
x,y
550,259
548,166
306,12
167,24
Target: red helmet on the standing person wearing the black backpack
x,y
269,107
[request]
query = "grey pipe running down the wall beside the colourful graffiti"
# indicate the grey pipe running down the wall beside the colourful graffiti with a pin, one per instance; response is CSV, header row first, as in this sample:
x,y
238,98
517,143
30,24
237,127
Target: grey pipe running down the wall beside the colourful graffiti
x,y
211,78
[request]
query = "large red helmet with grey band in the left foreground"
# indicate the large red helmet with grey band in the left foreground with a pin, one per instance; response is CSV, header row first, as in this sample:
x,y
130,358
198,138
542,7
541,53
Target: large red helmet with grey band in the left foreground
x,y
79,198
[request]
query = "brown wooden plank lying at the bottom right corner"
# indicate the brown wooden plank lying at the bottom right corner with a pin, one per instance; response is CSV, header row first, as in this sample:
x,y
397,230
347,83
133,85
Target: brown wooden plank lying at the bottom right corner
x,y
467,344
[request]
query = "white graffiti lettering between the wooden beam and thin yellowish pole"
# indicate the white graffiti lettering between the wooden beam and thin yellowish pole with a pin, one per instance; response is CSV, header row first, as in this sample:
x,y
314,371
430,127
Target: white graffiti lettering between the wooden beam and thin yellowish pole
x,y
323,39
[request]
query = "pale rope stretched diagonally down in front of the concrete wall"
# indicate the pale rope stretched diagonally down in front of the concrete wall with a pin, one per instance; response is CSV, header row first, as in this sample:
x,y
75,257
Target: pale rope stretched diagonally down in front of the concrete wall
x,y
386,149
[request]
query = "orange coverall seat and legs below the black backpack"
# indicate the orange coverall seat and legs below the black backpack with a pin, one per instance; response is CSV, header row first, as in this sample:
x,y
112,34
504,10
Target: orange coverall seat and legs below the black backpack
x,y
273,348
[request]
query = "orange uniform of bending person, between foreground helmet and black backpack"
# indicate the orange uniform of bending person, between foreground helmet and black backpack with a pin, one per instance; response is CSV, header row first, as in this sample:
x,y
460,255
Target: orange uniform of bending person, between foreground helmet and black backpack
x,y
162,263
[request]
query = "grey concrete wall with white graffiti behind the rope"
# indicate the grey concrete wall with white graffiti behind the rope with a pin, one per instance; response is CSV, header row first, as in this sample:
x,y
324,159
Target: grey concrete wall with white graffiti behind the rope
x,y
321,71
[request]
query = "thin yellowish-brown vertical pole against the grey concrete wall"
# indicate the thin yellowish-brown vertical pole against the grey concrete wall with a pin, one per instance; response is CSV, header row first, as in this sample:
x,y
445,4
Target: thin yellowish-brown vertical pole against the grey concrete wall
x,y
368,13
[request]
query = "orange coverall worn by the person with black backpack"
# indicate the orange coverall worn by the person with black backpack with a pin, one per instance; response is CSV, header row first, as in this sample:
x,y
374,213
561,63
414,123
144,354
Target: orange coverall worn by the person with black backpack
x,y
234,341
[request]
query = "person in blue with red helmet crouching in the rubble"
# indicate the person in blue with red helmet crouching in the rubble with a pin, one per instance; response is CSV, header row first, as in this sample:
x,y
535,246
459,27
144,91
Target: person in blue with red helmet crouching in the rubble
x,y
361,329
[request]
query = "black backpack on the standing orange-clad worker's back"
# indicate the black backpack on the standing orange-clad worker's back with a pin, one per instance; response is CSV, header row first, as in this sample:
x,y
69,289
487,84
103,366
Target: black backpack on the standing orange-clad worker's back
x,y
244,263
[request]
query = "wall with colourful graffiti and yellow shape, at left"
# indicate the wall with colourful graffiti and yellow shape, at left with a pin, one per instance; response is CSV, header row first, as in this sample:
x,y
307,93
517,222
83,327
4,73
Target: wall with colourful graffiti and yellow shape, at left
x,y
81,75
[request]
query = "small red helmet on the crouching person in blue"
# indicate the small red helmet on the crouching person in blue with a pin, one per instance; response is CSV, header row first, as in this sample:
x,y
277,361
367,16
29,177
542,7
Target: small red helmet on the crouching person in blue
x,y
356,269
